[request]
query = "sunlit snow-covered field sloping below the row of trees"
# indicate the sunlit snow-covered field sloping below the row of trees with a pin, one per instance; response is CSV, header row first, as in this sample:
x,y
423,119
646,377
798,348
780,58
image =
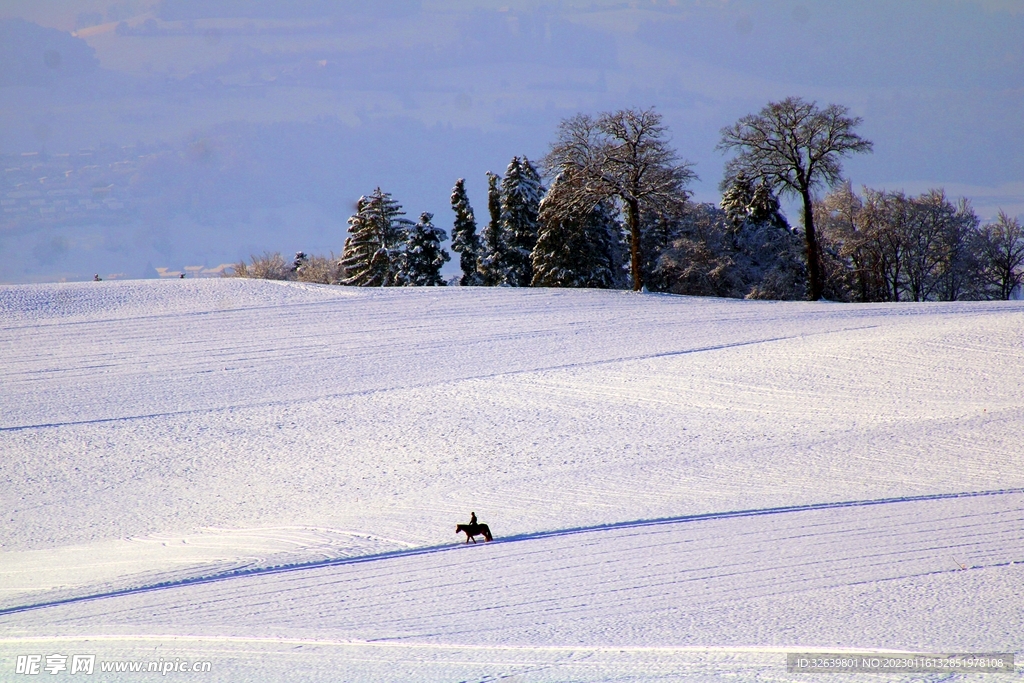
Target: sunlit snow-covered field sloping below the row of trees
x,y
268,477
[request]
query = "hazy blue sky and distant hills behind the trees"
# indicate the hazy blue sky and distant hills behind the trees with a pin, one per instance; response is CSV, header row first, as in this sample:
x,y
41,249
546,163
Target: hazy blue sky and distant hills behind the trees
x,y
245,127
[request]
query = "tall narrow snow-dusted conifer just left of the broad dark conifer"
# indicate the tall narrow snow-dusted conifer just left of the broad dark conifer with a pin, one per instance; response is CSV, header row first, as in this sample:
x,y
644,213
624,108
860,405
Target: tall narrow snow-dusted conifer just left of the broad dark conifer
x,y
522,193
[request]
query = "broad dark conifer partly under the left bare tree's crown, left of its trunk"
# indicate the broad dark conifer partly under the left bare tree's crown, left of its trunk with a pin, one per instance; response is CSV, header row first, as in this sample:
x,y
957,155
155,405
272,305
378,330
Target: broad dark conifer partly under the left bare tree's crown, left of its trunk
x,y
577,246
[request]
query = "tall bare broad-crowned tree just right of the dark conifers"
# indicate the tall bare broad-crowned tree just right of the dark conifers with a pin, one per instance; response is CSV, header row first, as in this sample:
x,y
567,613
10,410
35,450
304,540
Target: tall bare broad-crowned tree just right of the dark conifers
x,y
622,157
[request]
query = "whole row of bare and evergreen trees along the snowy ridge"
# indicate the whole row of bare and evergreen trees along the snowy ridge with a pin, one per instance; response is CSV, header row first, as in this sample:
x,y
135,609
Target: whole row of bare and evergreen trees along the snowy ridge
x,y
618,215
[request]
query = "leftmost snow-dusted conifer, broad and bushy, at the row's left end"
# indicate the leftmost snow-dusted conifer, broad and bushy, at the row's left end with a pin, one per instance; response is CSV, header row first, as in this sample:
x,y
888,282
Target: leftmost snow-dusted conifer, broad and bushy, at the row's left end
x,y
374,251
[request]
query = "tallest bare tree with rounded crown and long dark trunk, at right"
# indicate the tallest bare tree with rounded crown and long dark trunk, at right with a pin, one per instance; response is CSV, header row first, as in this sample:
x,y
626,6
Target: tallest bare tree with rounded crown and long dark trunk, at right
x,y
795,148
